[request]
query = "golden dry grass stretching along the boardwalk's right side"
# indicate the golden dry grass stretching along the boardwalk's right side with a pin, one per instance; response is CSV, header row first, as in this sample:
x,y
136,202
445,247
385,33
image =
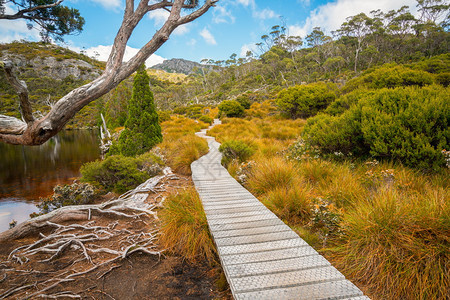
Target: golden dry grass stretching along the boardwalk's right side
x,y
394,223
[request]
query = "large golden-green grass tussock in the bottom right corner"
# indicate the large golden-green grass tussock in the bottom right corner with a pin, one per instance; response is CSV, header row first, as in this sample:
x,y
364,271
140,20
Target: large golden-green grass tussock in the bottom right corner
x,y
399,245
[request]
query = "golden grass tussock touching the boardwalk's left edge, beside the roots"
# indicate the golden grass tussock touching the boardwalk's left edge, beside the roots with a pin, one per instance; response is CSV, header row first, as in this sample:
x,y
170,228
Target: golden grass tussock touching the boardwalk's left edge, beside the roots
x,y
184,229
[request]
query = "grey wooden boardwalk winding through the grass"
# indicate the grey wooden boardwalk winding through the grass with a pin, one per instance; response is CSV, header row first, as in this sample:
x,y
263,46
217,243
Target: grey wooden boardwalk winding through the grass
x,y
261,256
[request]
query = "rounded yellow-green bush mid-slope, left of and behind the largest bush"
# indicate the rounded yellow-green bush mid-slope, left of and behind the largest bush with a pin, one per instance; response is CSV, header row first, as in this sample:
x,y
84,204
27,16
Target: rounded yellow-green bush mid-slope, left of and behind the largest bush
x,y
303,101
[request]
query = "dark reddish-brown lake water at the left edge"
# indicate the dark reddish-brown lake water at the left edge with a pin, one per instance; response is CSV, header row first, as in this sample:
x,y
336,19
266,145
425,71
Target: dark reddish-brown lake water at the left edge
x,y
27,173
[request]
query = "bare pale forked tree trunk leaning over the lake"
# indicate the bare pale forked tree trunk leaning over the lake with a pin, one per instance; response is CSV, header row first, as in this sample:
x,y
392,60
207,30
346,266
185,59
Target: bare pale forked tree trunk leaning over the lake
x,y
33,131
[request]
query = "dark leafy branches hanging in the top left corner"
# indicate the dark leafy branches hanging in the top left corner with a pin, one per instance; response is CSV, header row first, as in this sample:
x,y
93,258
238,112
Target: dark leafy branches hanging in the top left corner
x,y
53,19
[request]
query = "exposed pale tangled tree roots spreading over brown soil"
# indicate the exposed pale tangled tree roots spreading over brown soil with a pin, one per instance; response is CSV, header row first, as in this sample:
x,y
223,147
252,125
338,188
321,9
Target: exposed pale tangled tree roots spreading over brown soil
x,y
76,249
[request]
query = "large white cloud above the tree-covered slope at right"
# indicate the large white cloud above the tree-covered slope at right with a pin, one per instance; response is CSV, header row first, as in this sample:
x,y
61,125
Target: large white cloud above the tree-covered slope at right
x,y
330,16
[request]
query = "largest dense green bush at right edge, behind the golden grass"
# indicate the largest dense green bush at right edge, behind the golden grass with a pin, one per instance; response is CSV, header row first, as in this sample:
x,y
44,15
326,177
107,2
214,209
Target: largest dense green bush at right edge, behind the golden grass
x,y
410,125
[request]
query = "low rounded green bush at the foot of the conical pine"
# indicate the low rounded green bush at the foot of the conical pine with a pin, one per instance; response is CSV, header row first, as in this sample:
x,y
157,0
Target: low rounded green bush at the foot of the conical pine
x,y
119,173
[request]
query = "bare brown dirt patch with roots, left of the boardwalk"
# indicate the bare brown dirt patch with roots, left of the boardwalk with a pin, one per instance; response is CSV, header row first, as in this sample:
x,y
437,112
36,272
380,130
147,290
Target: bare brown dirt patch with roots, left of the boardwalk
x,y
92,268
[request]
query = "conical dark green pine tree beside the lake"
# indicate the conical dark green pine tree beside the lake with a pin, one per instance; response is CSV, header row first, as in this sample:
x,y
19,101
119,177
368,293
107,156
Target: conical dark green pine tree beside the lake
x,y
142,130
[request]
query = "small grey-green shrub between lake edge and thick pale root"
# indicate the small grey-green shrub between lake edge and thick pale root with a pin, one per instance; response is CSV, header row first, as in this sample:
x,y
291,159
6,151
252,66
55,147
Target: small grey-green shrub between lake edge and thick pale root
x,y
63,195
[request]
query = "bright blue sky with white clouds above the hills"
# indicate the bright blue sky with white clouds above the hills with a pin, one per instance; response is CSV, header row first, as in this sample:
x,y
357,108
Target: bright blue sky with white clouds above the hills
x,y
233,26
